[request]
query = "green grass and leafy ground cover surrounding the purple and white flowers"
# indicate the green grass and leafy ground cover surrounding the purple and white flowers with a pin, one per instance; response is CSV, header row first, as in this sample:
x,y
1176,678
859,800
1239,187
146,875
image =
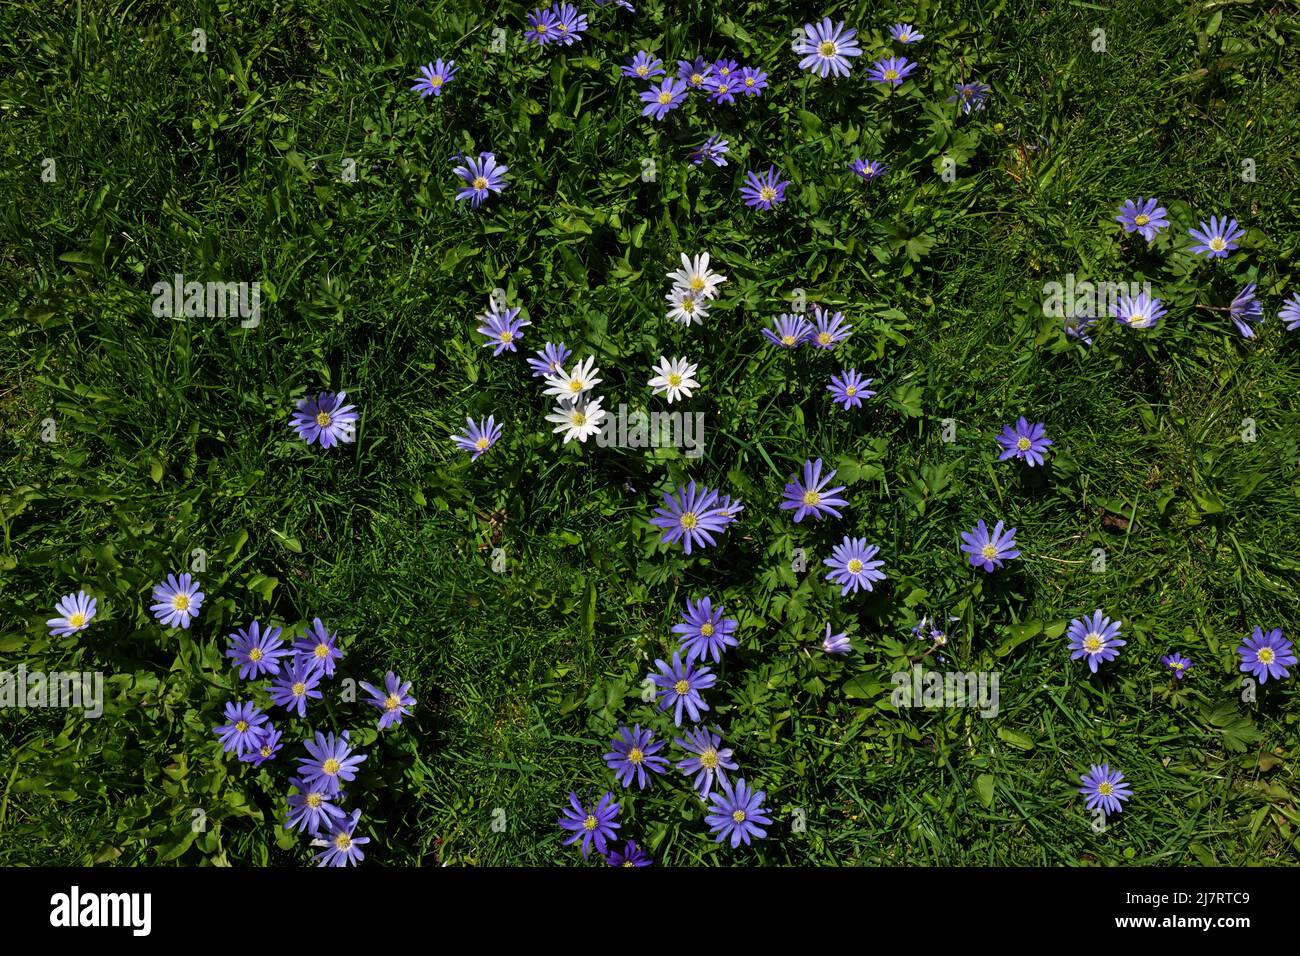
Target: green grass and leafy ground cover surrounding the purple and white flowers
x,y
172,436
